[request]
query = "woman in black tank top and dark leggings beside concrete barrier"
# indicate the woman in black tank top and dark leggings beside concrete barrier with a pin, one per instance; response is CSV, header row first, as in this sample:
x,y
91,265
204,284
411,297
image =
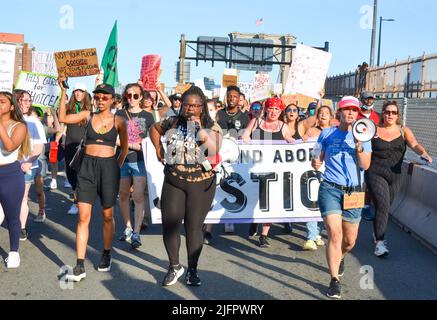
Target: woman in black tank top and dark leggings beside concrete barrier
x,y
384,175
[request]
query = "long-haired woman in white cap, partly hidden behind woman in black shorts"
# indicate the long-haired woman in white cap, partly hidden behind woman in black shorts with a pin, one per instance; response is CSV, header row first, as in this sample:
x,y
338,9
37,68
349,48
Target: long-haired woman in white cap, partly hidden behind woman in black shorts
x,y
79,102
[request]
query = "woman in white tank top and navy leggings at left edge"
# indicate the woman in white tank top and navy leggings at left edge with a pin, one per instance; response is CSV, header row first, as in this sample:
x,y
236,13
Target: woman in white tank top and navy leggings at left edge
x,y
14,144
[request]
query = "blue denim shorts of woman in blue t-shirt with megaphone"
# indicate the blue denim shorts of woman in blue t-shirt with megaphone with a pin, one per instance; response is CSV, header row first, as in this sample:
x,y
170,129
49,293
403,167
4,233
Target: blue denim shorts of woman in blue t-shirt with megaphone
x,y
331,202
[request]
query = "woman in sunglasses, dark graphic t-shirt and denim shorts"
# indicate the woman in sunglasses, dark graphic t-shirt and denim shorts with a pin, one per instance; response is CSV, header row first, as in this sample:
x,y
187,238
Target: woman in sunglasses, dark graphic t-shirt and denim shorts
x,y
133,171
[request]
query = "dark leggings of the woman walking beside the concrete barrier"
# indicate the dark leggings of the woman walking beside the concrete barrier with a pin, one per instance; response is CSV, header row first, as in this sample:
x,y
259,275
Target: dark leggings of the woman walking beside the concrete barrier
x,y
383,184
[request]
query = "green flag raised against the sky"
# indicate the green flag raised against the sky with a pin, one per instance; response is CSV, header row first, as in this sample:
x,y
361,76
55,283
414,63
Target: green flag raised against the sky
x,y
109,61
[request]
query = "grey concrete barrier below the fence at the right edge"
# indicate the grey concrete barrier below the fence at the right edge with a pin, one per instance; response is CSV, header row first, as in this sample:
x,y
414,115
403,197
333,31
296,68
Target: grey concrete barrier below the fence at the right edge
x,y
415,206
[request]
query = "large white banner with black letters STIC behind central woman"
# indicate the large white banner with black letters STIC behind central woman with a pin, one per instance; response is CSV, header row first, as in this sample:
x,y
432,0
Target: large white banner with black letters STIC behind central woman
x,y
252,191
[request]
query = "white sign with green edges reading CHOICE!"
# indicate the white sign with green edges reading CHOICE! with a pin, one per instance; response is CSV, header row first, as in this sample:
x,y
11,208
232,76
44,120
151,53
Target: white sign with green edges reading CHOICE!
x,y
44,89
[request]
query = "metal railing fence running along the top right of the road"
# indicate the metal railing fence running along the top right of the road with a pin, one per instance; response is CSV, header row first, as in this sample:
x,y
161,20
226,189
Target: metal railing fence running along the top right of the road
x,y
411,78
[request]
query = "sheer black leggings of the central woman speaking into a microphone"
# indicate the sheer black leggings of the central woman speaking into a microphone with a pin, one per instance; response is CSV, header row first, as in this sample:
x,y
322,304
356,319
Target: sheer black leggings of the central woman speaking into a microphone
x,y
188,201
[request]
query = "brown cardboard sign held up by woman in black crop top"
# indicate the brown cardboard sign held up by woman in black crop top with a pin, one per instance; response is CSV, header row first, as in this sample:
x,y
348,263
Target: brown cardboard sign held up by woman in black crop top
x,y
77,63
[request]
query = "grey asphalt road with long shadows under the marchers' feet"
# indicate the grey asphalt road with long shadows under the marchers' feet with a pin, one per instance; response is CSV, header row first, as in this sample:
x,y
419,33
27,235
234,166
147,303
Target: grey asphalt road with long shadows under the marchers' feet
x,y
233,267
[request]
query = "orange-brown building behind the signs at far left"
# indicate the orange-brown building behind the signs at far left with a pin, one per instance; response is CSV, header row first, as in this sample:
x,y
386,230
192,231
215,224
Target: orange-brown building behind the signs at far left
x,y
23,52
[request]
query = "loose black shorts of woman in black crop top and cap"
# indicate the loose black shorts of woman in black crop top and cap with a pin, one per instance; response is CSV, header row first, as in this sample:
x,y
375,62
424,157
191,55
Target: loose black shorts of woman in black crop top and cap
x,y
98,177
